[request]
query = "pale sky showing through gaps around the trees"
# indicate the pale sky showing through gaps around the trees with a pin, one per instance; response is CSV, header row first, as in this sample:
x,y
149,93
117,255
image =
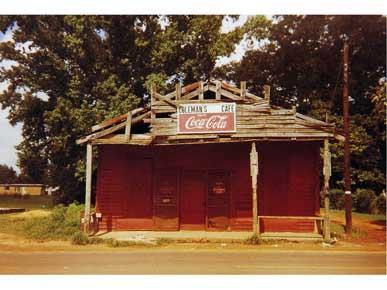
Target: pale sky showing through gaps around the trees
x,y
11,135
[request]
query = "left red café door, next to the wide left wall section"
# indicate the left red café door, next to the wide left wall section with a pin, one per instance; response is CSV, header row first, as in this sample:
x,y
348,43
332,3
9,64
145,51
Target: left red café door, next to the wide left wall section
x,y
165,200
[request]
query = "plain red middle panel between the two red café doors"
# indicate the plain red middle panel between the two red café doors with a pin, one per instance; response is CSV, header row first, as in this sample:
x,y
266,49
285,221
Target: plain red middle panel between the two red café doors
x,y
192,200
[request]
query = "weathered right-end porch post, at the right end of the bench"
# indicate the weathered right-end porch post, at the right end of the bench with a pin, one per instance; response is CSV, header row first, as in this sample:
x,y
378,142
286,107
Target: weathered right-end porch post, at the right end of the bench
x,y
327,174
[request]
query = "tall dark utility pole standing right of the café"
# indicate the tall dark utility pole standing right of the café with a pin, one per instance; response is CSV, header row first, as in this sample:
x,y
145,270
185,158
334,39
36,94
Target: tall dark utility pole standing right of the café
x,y
347,177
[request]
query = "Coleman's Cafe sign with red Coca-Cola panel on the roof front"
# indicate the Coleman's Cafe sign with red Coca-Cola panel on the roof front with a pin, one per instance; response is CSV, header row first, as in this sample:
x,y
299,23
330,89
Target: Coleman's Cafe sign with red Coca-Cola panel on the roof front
x,y
206,118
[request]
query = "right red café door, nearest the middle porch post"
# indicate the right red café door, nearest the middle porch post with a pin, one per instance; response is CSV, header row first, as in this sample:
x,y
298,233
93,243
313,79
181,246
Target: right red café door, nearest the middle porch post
x,y
218,200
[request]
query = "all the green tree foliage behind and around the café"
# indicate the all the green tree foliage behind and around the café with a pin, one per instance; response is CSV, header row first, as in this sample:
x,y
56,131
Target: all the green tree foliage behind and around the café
x,y
85,69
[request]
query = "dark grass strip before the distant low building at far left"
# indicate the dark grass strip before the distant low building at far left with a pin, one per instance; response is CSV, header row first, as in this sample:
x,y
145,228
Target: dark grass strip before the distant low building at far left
x,y
26,201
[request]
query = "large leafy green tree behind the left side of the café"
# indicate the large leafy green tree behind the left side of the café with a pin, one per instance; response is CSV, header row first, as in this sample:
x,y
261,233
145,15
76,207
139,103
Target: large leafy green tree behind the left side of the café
x,y
72,72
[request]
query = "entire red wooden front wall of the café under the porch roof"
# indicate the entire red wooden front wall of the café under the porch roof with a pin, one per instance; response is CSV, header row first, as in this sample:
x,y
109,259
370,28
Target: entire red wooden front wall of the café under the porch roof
x,y
168,187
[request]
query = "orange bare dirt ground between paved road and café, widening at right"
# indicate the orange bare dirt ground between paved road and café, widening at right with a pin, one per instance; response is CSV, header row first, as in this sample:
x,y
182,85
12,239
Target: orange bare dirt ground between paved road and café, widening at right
x,y
373,238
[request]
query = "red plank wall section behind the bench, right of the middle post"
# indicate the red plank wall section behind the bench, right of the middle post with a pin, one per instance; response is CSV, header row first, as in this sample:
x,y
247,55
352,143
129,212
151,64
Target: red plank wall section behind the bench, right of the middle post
x,y
290,182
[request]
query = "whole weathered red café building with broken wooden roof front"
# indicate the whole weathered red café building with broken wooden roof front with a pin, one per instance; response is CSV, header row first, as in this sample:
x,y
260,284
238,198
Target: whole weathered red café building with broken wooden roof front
x,y
211,156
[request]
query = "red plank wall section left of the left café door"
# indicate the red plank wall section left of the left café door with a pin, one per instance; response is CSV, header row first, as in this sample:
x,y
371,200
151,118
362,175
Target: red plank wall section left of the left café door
x,y
124,190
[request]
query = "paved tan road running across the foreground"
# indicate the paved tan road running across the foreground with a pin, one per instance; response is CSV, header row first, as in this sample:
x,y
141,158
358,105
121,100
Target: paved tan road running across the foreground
x,y
193,262
